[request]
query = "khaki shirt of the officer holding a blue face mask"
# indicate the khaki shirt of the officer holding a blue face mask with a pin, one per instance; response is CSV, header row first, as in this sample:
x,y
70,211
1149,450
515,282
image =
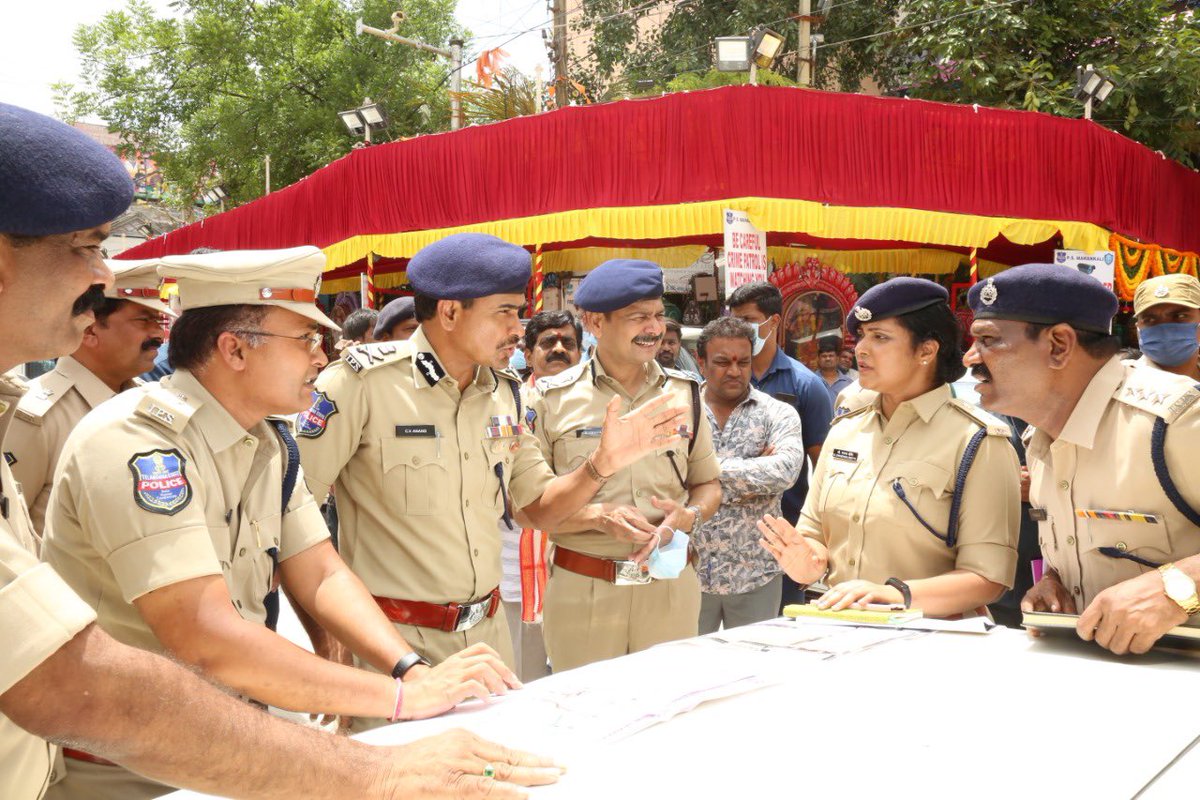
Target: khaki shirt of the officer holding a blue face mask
x,y
567,423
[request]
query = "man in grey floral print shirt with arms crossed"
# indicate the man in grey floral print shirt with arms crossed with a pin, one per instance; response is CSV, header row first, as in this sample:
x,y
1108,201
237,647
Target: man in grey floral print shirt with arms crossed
x,y
759,443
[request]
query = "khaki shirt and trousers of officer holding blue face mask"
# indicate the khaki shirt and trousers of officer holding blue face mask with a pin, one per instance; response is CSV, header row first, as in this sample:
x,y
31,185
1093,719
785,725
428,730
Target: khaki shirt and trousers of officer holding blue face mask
x,y
589,619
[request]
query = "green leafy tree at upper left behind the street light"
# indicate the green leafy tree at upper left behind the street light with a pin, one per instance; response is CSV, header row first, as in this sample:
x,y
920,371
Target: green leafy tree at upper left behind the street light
x,y
214,88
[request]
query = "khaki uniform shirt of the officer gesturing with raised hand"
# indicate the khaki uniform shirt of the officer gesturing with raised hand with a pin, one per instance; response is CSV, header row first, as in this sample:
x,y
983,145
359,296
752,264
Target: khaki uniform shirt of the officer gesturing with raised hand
x,y
418,470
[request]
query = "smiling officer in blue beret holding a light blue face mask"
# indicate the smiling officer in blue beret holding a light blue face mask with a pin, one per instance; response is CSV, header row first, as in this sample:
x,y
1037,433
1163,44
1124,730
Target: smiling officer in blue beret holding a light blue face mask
x,y
601,601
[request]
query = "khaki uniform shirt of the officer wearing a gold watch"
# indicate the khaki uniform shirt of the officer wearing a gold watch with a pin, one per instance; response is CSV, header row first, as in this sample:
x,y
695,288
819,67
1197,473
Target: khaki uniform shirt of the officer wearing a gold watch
x,y
1101,462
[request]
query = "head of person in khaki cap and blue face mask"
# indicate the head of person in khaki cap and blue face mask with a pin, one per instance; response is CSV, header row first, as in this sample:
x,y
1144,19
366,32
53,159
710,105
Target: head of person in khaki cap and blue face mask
x,y
1167,311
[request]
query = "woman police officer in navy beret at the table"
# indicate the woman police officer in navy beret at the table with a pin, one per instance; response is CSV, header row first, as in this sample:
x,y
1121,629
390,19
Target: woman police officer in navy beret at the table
x,y
916,497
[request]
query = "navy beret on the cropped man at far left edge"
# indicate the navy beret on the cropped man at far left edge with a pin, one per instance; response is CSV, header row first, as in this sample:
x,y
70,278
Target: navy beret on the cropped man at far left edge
x,y
55,179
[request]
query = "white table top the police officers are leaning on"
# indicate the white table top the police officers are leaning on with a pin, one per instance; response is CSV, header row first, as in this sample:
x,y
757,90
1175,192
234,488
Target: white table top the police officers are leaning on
x,y
938,715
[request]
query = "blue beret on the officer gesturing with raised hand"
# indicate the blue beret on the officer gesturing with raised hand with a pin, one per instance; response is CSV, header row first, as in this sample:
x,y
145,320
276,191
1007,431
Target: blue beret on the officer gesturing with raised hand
x,y
464,267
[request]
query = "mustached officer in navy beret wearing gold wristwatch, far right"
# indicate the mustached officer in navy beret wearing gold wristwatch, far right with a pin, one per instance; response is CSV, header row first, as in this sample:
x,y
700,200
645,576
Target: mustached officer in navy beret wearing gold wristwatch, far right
x,y
1112,462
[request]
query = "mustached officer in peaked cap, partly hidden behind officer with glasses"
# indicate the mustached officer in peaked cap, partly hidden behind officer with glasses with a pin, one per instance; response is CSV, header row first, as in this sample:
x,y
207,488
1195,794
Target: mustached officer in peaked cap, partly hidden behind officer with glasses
x,y
116,350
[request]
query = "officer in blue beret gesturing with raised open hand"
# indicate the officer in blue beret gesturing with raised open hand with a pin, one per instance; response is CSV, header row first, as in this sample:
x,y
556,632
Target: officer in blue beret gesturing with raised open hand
x,y
427,443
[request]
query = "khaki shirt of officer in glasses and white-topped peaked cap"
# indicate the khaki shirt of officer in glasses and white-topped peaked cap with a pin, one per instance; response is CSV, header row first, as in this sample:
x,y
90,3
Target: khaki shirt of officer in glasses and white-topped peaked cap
x,y
161,485
